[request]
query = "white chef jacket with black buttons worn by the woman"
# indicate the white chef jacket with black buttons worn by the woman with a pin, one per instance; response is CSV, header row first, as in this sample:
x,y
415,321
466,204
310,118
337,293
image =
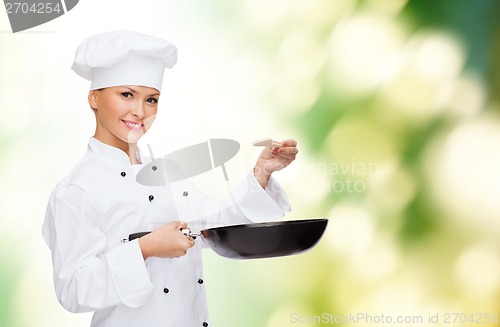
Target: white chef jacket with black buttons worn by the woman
x,y
96,207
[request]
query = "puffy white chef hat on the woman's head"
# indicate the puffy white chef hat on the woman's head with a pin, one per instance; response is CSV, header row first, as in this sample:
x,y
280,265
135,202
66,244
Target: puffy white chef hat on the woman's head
x,y
124,58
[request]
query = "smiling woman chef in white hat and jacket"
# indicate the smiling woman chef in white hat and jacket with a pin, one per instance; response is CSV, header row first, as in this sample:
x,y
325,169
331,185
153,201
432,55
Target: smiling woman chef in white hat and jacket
x,y
156,280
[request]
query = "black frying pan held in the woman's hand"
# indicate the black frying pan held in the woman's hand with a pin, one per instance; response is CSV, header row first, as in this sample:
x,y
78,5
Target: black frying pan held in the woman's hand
x,y
261,240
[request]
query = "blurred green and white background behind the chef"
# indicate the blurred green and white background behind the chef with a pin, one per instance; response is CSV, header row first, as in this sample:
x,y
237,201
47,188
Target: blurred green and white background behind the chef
x,y
394,103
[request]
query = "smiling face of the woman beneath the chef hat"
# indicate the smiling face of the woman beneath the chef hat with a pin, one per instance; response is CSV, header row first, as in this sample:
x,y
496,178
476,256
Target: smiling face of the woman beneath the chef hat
x,y
123,113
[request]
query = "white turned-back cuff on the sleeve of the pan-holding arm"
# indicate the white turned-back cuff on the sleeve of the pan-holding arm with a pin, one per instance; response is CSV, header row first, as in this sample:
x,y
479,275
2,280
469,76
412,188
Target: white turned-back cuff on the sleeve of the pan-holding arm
x,y
129,274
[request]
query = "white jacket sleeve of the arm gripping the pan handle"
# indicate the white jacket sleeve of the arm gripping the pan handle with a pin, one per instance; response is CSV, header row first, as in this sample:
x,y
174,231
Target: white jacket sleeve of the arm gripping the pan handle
x,y
86,277
